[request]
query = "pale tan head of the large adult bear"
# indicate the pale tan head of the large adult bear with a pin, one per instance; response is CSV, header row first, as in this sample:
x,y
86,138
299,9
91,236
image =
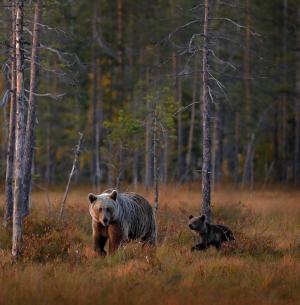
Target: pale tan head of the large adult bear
x,y
102,207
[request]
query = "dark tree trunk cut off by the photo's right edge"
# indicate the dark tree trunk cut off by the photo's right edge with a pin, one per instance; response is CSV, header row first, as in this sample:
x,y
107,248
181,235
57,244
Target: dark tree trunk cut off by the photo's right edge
x,y
297,110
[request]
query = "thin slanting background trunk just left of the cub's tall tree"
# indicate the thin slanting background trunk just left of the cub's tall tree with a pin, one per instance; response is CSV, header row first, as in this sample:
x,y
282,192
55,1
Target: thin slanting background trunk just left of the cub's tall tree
x,y
192,120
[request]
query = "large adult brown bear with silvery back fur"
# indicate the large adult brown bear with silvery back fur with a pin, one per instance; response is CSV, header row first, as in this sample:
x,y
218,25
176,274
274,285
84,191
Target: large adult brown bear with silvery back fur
x,y
119,217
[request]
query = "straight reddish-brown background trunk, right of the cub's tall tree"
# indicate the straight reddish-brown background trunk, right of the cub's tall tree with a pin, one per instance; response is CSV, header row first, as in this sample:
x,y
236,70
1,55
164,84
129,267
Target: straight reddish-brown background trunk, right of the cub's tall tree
x,y
247,79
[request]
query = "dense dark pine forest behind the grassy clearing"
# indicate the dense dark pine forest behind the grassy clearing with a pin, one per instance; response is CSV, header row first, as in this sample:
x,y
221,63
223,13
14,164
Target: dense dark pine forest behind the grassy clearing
x,y
108,68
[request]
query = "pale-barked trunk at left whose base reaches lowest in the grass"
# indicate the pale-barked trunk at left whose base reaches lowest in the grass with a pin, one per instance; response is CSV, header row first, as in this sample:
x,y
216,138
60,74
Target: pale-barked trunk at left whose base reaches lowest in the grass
x,y
20,136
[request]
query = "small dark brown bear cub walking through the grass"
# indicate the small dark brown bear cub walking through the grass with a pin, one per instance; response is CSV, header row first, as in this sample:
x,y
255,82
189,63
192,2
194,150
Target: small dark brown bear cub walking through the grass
x,y
210,235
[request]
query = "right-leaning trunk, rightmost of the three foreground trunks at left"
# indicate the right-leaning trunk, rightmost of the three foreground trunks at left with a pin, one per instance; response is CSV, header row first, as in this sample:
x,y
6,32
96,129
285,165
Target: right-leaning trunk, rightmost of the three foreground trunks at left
x,y
31,115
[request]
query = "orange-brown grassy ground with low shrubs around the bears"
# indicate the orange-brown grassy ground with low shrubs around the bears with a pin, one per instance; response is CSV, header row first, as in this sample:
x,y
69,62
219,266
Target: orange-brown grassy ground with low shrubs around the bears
x,y
59,266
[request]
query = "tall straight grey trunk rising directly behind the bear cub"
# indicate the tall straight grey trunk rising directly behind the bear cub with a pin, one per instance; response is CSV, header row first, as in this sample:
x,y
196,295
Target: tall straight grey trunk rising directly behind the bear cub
x,y
206,116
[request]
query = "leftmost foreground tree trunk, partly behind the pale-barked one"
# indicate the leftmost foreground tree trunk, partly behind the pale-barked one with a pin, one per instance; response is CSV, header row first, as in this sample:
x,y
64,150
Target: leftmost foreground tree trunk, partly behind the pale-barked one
x,y
12,125
